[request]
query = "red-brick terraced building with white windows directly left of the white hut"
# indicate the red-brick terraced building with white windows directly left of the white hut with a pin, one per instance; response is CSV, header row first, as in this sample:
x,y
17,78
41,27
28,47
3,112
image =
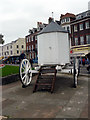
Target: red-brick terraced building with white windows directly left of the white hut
x,y
31,41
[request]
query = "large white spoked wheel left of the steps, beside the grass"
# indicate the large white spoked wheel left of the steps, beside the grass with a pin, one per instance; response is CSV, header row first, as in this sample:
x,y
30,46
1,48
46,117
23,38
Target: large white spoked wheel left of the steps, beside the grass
x,y
25,72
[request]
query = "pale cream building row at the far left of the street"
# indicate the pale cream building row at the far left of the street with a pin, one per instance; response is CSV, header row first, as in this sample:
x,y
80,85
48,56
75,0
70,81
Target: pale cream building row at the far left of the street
x,y
13,49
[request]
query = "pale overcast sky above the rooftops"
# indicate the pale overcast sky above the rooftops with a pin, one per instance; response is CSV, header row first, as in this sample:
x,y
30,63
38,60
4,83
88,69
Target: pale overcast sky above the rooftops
x,y
18,16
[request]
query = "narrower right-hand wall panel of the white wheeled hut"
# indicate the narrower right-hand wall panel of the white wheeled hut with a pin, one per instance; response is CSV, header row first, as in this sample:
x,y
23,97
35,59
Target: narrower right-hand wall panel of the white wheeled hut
x,y
63,48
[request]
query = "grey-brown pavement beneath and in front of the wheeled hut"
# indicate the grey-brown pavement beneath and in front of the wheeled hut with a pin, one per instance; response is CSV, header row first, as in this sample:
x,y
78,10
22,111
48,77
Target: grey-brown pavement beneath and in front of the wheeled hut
x,y
65,102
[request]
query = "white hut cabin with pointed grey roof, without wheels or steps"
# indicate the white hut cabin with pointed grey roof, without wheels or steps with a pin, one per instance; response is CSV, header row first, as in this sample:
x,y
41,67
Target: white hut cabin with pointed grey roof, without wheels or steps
x,y
53,45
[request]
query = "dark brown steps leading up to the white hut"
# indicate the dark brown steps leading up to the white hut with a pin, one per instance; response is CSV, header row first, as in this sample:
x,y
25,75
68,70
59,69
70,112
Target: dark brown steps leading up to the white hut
x,y
45,79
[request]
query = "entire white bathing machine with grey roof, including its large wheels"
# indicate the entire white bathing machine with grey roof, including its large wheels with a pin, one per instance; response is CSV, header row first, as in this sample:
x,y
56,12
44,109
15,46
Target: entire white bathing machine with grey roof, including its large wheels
x,y
53,50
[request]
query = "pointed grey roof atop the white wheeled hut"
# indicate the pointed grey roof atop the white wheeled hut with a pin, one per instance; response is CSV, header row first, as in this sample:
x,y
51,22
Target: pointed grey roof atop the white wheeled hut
x,y
53,27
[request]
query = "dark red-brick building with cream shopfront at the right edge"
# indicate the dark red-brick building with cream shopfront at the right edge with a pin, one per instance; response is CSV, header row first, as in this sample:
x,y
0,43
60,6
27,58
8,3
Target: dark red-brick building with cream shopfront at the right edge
x,y
80,34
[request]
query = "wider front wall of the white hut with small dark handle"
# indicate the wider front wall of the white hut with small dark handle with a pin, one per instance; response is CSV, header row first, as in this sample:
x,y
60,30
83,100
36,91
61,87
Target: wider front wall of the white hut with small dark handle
x,y
48,48
